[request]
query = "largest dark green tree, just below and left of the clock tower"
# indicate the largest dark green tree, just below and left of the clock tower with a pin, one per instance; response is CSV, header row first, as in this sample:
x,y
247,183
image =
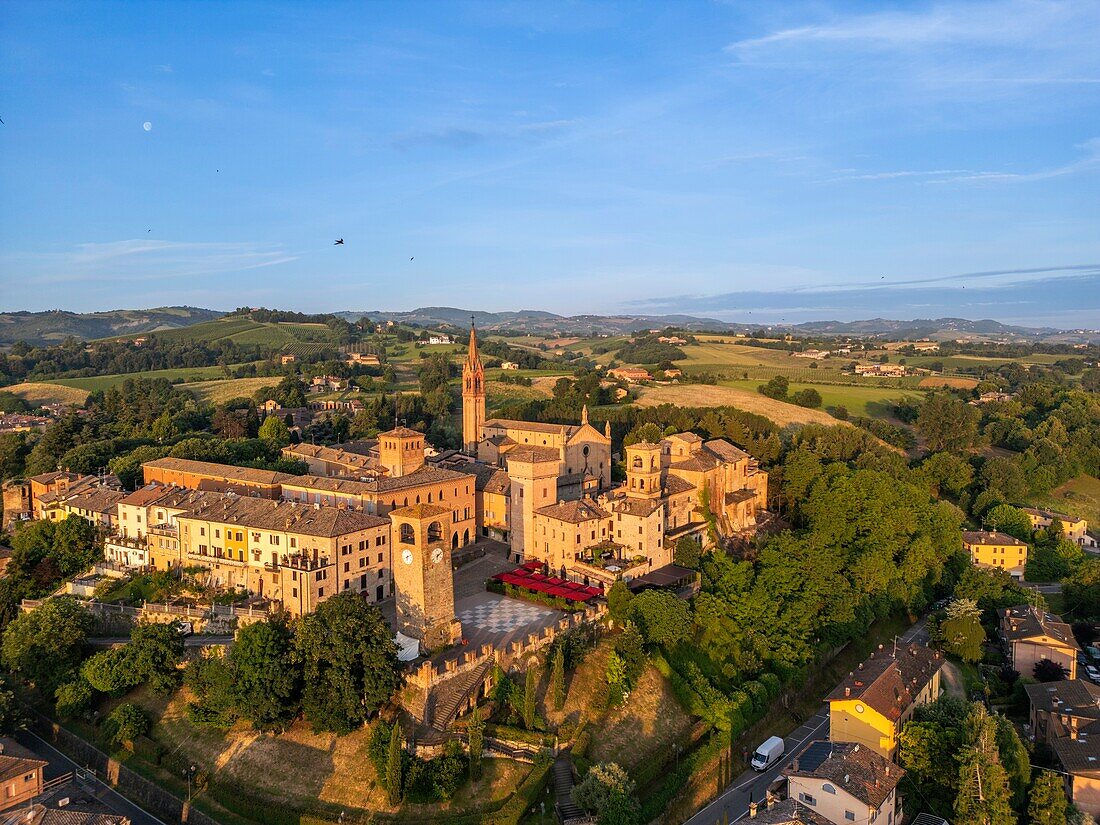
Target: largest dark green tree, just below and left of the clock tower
x,y
349,663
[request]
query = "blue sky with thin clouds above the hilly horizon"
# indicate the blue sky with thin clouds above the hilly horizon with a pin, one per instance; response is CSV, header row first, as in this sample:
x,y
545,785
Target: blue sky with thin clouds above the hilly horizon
x,y
740,160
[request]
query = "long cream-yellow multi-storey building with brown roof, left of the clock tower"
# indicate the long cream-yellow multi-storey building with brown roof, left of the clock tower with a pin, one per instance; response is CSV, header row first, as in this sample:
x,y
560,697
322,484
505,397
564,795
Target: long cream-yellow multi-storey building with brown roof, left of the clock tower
x,y
298,556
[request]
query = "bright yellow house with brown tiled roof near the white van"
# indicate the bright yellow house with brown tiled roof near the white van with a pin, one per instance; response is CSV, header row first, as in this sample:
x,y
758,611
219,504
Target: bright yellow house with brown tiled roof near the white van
x,y
872,706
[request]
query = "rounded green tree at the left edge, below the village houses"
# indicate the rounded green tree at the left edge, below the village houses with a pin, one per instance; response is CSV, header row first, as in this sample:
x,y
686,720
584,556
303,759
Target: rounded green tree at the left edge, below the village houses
x,y
47,645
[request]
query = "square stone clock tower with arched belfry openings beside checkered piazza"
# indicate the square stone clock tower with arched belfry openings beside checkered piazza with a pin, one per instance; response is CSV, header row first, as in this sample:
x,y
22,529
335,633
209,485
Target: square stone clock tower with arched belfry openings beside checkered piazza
x,y
423,577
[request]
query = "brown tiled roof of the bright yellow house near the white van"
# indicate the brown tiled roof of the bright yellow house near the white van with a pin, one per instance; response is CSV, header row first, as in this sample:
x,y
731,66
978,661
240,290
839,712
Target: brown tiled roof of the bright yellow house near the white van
x,y
890,685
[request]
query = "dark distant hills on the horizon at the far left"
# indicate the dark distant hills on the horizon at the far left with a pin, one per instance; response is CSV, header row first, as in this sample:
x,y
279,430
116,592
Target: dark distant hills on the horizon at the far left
x,y
56,326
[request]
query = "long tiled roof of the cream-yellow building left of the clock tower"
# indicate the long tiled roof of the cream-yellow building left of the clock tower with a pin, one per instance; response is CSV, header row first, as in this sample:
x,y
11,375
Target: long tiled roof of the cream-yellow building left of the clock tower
x,y
304,520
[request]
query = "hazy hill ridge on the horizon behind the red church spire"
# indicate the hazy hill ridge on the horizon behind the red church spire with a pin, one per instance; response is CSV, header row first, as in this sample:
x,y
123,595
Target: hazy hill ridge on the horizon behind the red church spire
x,y
537,322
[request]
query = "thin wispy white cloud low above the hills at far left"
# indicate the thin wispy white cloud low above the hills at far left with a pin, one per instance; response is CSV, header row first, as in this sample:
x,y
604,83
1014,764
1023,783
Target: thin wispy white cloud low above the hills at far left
x,y
139,260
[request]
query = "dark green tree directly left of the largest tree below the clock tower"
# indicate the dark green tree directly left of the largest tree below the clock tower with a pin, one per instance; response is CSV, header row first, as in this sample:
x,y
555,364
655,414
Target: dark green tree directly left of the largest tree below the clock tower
x,y
267,684
